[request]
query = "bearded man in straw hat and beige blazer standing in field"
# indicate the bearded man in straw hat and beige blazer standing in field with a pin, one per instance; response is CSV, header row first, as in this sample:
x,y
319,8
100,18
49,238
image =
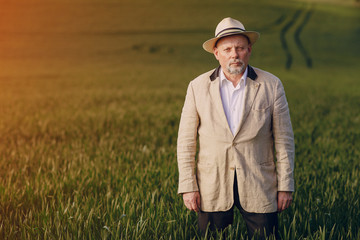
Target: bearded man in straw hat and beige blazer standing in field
x,y
238,114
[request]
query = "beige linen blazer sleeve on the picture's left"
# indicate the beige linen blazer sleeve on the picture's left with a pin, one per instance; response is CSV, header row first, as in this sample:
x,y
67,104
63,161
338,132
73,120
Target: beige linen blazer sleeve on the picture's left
x,y
186,144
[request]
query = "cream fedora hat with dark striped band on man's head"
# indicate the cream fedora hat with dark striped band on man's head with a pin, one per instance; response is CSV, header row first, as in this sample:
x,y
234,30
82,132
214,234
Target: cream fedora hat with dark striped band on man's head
x,y
227,27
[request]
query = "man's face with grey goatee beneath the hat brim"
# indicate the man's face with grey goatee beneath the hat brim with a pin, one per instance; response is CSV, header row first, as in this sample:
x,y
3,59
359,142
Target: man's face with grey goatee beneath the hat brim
x,y
233,54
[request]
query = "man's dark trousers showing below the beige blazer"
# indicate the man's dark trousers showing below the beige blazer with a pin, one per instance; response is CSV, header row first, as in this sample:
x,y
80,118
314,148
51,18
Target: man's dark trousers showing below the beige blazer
x,y
259,225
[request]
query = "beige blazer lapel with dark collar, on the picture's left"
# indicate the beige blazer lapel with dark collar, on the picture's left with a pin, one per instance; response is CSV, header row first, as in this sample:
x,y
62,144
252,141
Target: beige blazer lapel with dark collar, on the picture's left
x,y
214,91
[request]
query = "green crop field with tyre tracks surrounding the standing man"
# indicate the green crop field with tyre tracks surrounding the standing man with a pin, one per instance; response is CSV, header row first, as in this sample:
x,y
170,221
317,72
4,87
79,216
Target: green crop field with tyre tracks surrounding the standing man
x,y
90,99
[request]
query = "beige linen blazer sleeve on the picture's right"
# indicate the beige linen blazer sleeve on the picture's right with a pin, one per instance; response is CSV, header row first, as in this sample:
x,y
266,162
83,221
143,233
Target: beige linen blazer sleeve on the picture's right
x,y
284,140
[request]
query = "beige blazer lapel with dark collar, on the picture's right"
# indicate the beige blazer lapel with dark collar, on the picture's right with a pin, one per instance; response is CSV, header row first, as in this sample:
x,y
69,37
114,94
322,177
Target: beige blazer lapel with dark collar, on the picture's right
x,y
251,90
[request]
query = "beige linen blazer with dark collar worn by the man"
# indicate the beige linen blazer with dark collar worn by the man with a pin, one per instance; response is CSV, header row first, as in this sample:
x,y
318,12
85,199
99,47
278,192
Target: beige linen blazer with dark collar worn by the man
x,y
265,124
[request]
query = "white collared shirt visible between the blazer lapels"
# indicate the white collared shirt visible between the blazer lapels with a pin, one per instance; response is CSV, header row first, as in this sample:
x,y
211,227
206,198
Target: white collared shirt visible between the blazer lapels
x,y
233,99
